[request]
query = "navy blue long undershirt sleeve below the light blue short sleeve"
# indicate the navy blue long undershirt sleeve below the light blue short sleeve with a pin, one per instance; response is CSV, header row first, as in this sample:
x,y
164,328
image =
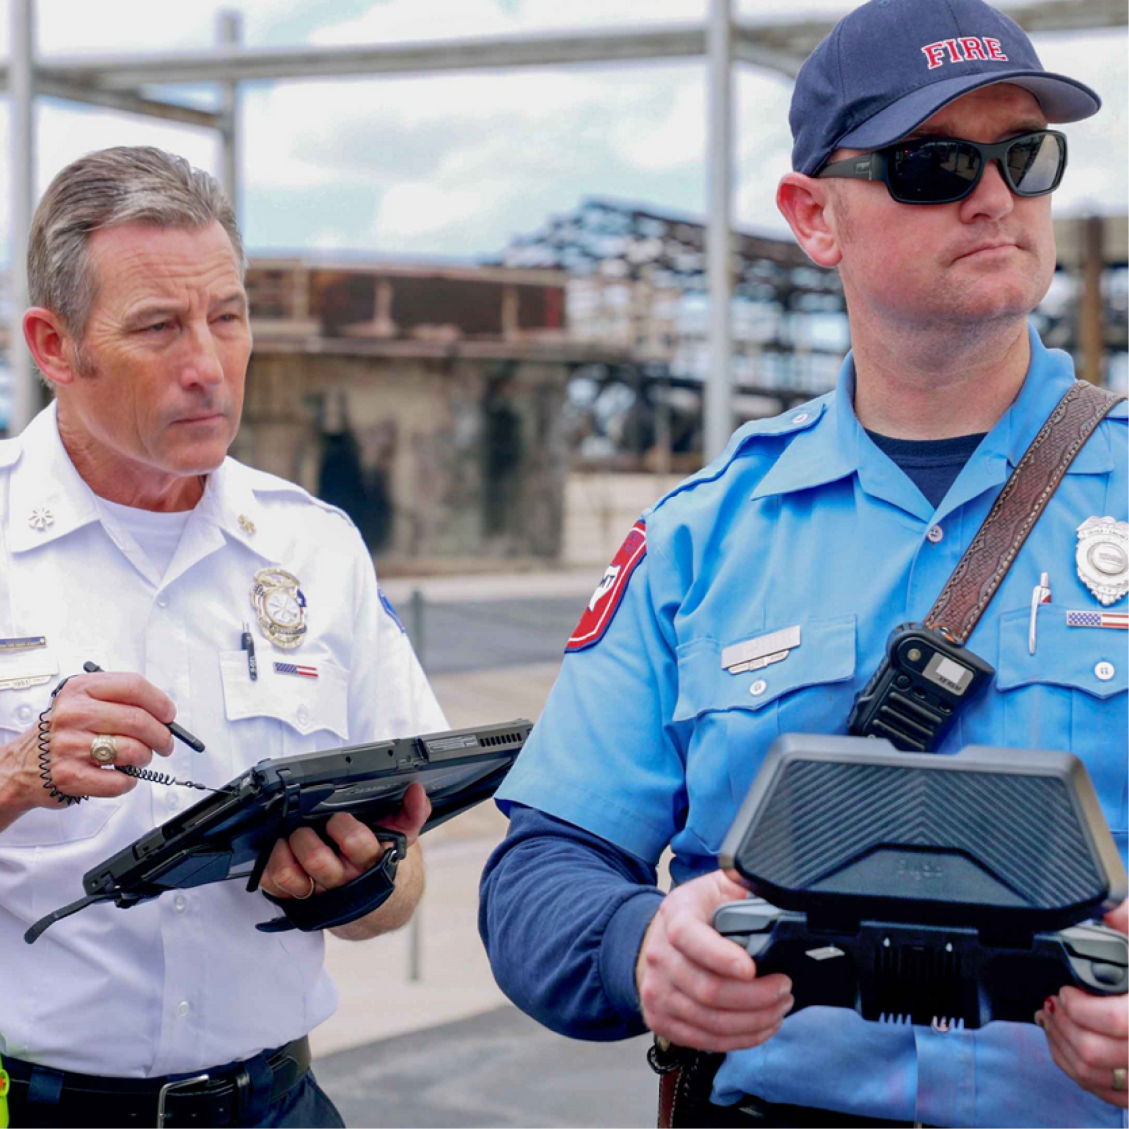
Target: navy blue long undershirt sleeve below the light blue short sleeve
x,y
563,915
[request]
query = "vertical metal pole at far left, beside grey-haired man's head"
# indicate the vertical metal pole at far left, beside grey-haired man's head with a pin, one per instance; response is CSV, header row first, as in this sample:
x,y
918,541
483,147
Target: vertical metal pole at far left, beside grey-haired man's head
x,y
28,397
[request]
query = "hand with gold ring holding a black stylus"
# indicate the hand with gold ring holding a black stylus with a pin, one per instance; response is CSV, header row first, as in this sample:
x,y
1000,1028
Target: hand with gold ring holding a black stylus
x,y
124,706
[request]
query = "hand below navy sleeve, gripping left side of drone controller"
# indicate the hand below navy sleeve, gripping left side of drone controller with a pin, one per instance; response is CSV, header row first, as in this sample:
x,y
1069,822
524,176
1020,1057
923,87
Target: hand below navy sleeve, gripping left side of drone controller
x,y
698,988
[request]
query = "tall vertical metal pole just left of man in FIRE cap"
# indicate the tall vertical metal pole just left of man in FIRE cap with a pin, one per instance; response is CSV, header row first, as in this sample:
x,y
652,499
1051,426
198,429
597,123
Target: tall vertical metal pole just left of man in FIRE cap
x,y
719,406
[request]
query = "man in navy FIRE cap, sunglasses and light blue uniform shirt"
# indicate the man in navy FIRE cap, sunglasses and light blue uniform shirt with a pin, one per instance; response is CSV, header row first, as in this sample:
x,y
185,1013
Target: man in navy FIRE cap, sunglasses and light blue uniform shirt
x,y
845,519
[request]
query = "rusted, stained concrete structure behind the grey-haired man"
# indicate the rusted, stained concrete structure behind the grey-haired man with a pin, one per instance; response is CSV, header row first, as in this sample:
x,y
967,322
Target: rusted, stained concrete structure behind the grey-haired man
x,y
428,401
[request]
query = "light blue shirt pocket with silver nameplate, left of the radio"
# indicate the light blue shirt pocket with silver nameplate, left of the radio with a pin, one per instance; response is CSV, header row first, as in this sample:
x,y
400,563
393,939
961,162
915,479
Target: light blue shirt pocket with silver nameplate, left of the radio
x,y
810,692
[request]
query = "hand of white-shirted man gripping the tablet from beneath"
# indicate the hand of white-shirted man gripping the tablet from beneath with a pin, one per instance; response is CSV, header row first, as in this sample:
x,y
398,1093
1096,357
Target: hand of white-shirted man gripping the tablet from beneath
x,y
305,864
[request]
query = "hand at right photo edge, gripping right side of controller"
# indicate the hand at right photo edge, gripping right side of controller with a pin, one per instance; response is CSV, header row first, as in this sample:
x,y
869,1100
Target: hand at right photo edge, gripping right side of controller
x,y
1089,1036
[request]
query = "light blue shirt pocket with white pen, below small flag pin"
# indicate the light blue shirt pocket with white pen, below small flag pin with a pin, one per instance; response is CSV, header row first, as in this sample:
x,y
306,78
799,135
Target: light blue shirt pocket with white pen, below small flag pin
x,y
1072,695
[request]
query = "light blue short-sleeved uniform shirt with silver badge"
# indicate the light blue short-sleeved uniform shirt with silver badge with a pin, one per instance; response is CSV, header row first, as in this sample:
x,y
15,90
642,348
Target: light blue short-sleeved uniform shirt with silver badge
x,y
646,741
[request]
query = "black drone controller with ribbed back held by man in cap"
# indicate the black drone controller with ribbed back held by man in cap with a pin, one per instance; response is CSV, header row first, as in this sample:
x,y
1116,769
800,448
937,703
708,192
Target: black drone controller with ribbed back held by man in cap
x,y
916,888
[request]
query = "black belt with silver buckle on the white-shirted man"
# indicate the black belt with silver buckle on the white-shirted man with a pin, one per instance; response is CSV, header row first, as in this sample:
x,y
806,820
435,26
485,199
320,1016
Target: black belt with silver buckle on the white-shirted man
x,y
222,1097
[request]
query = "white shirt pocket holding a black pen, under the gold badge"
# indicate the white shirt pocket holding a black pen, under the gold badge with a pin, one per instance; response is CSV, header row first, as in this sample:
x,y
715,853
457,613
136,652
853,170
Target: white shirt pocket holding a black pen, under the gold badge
x,y
283,715
